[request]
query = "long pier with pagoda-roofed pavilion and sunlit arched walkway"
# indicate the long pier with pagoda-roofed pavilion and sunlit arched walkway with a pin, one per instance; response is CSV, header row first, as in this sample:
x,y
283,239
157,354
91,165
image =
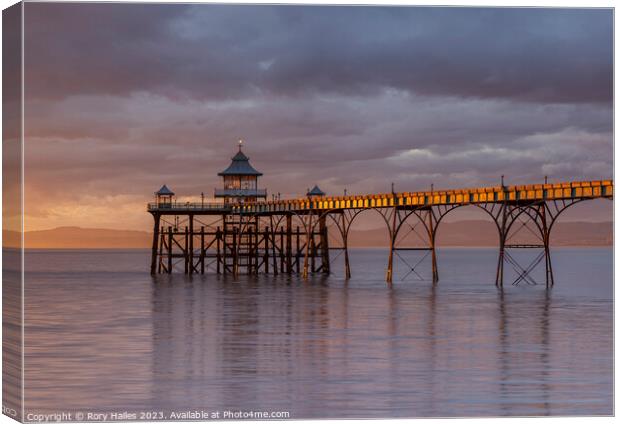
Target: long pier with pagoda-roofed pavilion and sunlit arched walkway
x,y
248,234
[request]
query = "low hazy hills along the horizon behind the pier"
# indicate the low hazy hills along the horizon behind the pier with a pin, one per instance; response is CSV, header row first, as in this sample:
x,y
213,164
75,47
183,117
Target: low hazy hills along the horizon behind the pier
x,y
475,233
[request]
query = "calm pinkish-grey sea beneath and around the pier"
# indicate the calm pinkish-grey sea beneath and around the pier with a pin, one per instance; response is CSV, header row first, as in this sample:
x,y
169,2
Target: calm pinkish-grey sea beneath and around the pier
x,y
103,335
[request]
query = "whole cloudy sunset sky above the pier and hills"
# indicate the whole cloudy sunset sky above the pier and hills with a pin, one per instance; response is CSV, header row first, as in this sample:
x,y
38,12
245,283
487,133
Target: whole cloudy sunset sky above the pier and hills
x,y
122,98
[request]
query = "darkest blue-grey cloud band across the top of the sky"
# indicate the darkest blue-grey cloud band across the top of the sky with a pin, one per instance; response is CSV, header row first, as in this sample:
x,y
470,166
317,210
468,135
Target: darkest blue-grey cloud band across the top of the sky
x,y
216,52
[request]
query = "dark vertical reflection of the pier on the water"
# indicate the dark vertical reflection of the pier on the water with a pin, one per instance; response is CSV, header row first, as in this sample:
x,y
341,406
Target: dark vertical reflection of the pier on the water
x,y
311,347
